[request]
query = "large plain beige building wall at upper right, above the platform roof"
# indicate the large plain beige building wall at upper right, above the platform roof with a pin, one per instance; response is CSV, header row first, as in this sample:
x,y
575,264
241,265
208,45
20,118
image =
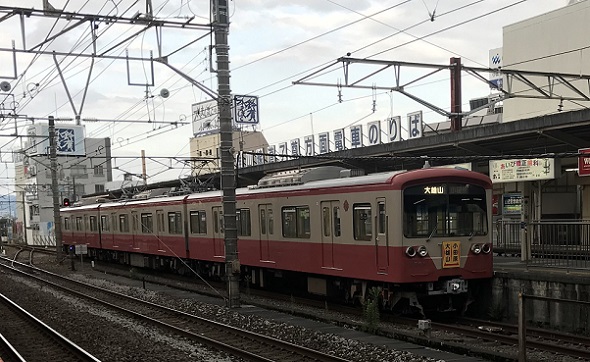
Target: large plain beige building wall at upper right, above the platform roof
x,y
533,44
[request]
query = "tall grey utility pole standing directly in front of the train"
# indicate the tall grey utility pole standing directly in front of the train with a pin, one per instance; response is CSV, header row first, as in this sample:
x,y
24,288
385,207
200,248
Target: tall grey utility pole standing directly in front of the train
x,y
232,264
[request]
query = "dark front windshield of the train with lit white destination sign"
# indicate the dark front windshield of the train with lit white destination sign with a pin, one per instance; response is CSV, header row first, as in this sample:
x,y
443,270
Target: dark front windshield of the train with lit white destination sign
x,y
445,209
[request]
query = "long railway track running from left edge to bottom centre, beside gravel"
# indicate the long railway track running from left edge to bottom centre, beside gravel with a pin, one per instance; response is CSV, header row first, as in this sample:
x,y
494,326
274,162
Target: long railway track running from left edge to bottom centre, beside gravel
x,y
237,342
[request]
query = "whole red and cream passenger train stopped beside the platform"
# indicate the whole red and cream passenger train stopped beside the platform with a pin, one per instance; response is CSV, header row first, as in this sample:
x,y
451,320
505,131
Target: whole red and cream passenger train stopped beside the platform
x,y
417,235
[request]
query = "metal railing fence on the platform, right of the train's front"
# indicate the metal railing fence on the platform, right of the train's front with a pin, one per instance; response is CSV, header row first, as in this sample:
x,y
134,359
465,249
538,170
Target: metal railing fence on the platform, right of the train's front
x,y
553,243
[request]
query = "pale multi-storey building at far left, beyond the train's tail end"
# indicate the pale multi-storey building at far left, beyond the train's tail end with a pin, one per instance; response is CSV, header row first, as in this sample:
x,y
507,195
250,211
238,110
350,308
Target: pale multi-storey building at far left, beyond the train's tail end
x,y
84,167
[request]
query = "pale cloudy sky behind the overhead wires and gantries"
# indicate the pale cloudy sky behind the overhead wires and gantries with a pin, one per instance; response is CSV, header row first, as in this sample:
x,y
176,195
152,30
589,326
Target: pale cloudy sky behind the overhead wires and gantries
x,y
272,43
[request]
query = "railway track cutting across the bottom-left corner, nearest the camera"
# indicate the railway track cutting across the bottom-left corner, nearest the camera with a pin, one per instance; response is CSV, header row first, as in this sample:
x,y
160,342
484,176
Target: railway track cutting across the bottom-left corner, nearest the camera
x,y
22,331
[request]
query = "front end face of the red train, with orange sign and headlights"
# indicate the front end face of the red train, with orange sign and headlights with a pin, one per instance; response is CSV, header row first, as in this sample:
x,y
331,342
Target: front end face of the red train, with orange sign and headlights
x,y
442,251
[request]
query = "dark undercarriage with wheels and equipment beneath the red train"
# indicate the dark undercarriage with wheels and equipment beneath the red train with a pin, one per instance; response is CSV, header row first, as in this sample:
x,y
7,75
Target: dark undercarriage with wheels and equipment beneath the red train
x,y
448,295
